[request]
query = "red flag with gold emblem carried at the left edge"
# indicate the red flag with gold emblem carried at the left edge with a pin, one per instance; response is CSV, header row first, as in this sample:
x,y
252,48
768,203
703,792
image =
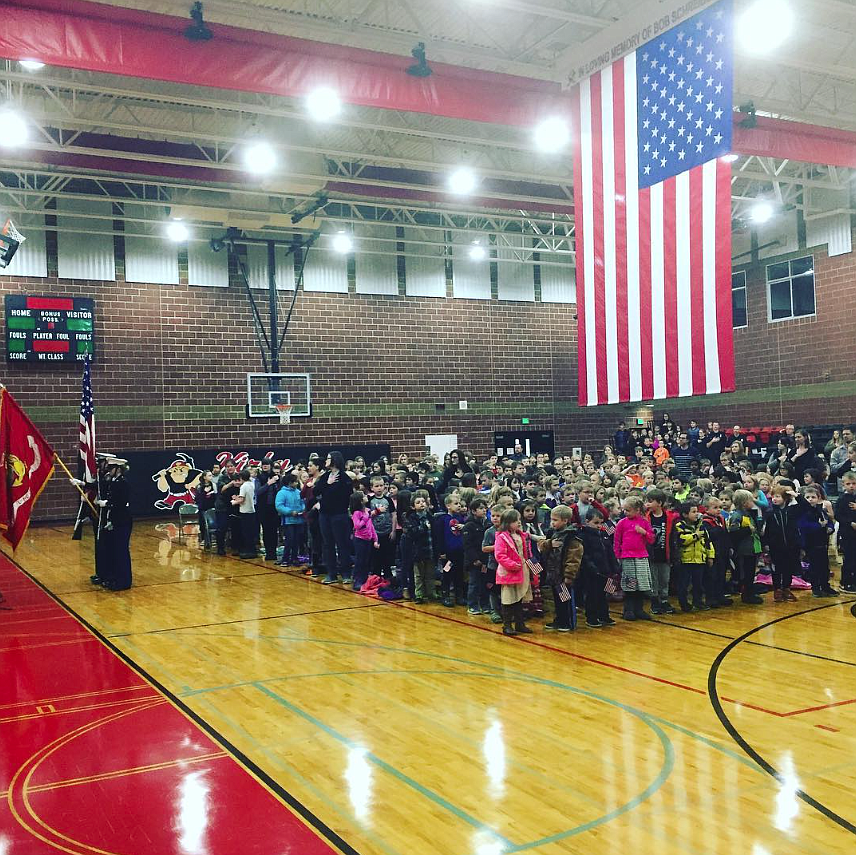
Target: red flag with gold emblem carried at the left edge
x,y
28,462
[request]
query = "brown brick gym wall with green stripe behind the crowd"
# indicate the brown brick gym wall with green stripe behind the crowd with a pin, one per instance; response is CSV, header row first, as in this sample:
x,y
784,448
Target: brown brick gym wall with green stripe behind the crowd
x,y
171,363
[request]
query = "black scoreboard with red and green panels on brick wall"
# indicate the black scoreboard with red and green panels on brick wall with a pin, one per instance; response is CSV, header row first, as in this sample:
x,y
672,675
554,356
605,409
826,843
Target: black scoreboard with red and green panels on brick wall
x,y
49,329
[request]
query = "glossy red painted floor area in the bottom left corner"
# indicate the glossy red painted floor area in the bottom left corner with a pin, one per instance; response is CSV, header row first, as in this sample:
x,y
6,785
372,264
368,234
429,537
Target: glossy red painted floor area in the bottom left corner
x,y
95,760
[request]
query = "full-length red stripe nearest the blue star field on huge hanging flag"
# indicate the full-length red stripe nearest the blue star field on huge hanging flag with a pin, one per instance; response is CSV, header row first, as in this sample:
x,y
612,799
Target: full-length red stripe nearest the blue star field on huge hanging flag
x,y
620,230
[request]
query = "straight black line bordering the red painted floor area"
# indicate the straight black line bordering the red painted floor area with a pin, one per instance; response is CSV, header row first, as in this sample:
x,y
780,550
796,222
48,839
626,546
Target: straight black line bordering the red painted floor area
x,y
274,786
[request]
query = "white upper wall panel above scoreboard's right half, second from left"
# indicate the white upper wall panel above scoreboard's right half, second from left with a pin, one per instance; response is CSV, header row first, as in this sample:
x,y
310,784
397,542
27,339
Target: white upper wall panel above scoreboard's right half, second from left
x,y
84,245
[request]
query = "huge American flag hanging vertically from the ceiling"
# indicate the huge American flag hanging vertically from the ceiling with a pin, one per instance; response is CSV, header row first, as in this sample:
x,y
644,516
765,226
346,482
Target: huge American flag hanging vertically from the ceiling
x,y
653,217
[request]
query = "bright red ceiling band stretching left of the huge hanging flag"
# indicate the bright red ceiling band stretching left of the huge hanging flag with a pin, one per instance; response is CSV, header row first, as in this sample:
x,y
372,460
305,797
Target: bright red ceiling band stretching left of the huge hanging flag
x,y
134,43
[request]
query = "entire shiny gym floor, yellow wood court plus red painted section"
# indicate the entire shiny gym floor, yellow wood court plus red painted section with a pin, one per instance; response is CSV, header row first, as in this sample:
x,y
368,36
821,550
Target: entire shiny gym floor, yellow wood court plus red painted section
x,y
340,723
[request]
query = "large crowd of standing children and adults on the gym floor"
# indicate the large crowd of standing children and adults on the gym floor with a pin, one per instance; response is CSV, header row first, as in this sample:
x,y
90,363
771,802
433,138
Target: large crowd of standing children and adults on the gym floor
x,y
693,515
